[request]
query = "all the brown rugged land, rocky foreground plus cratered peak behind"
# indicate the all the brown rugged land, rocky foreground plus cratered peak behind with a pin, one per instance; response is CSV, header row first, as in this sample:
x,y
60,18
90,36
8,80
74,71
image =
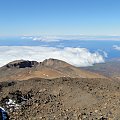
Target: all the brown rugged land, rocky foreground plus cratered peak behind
x,y
56,90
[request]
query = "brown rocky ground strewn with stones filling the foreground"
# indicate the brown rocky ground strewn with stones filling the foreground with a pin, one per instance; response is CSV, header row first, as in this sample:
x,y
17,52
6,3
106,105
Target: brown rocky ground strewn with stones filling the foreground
x,y
61,99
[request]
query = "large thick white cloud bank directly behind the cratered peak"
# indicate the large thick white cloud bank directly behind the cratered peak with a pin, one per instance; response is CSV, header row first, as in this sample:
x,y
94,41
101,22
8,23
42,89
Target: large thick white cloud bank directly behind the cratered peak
x,y
75,56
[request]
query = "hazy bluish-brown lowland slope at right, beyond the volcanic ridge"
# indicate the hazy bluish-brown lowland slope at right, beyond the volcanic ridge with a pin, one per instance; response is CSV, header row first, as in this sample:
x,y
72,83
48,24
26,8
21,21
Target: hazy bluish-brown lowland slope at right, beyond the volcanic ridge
x,y
110,68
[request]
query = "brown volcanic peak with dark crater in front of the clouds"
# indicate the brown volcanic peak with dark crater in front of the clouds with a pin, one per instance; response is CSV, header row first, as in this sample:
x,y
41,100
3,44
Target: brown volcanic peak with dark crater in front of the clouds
x,y
49,68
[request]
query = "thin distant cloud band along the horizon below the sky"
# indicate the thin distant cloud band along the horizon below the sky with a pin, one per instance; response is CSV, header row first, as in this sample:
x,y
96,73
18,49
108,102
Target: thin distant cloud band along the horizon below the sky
x,y
56,38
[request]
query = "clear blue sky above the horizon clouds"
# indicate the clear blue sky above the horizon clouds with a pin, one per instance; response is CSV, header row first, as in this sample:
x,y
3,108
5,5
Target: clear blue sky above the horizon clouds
x,y
59,17
